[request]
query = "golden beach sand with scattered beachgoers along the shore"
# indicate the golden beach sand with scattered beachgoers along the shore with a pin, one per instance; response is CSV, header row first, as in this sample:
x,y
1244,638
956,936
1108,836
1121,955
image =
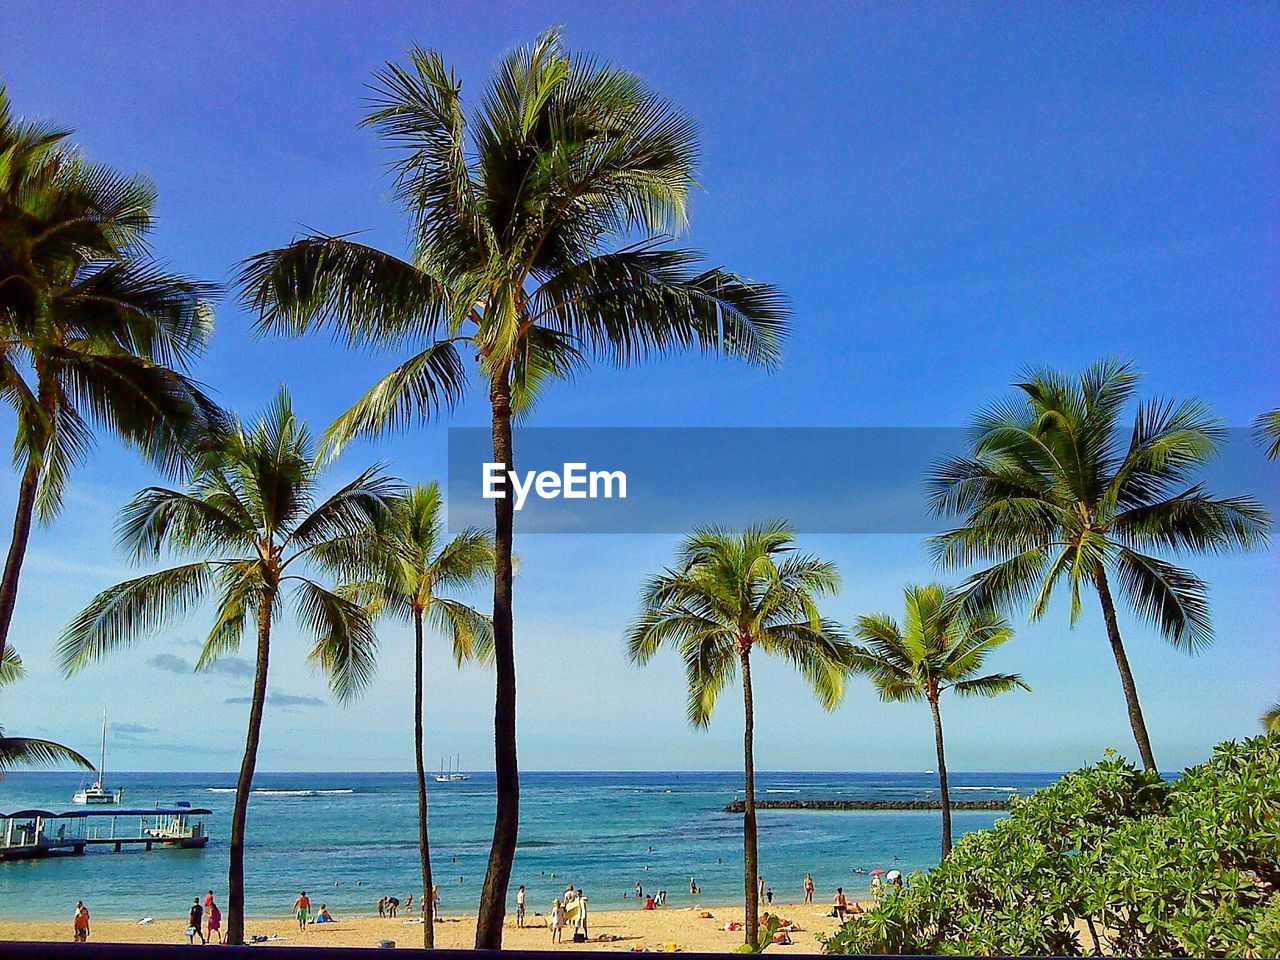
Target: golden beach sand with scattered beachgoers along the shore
x,y
633,929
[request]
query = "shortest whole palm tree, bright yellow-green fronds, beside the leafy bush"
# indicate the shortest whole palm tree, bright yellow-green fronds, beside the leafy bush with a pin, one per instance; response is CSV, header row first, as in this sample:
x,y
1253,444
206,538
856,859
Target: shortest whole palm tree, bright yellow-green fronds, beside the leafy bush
x,y
938,648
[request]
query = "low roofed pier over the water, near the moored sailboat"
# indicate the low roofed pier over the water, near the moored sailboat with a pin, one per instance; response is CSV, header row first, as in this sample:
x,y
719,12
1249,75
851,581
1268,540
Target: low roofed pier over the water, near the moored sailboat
x,y
35,835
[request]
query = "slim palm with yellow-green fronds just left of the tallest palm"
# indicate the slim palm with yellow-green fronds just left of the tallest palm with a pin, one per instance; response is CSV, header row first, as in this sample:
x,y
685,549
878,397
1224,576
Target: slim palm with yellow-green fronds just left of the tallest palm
x,y
405,573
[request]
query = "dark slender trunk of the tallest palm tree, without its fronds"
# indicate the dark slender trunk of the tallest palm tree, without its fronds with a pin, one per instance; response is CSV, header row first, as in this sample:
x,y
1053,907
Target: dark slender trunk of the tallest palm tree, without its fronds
x,y
493,898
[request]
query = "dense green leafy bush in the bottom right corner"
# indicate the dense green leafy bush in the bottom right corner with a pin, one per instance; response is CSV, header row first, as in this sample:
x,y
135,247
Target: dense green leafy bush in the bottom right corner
x,y
1108,861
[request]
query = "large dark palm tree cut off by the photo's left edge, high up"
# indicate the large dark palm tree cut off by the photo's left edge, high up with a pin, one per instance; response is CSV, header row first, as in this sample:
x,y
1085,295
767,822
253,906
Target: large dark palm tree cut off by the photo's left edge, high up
x,y
93,330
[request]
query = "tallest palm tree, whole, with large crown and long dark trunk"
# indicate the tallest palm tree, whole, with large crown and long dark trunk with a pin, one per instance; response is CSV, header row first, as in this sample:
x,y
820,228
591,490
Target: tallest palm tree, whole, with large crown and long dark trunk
x,y
524,222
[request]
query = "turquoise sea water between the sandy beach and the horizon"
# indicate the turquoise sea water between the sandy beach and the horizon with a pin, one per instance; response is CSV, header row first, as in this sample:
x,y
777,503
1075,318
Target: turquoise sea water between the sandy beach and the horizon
x,y
351,838
